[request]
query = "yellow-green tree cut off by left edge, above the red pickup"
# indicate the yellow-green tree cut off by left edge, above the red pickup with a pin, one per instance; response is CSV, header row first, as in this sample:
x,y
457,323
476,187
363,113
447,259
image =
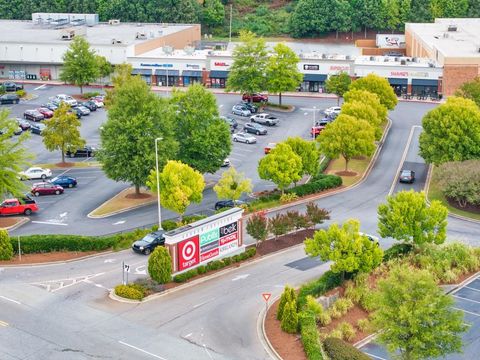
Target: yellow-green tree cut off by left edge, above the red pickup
x,y
13,157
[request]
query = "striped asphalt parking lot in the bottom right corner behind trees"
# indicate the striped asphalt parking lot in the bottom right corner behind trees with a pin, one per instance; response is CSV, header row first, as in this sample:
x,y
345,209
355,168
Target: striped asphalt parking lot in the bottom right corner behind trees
x,y
467,299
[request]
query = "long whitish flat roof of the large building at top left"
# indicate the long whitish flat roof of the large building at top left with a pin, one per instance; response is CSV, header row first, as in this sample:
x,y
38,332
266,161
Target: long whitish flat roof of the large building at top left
x,y
18,31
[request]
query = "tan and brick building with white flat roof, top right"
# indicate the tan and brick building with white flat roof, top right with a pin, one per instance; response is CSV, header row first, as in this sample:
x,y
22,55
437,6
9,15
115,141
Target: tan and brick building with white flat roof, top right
x,y
453,43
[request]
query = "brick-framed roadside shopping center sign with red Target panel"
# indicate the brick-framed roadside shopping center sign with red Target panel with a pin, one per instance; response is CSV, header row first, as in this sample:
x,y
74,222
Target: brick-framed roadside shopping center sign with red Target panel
x,y
205,240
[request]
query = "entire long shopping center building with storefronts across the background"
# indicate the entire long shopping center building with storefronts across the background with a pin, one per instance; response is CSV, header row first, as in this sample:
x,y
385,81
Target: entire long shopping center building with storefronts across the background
x,y
170,55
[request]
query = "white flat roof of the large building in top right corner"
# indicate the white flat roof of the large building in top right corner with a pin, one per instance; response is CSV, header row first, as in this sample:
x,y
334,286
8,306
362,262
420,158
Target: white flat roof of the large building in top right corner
x,y
464,42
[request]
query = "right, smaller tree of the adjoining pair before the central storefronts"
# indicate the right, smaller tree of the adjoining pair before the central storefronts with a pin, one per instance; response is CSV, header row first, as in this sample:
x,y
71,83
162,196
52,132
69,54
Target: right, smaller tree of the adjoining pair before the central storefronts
x,y
282,71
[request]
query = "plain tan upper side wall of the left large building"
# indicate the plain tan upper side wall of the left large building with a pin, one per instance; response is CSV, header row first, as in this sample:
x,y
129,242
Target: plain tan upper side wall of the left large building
x,y
177,40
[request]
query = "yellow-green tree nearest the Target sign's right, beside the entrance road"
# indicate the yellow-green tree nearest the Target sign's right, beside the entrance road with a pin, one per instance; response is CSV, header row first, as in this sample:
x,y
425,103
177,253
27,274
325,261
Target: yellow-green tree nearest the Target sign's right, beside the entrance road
x,y
349,251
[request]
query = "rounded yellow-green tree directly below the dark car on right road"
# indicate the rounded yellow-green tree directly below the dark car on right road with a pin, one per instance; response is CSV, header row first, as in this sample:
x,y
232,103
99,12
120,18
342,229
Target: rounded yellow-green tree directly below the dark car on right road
x,y
406,217
